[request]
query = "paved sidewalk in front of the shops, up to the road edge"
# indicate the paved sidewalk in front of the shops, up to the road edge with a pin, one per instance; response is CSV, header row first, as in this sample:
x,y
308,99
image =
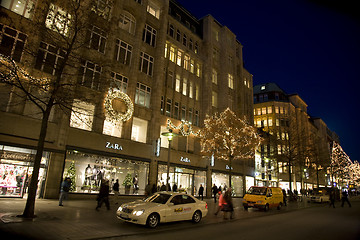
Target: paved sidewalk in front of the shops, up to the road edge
x,y
79,220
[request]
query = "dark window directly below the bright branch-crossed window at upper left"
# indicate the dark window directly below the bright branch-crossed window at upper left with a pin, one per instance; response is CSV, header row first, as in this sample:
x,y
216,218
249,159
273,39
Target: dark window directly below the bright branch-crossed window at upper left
x,y
49,58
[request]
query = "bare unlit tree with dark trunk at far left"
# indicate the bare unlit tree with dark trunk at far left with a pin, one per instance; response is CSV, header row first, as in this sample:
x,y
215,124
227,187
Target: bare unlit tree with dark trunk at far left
x,y
65,28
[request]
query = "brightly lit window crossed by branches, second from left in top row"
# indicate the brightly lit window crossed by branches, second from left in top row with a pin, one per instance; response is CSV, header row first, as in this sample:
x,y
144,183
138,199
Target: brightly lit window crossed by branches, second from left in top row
x,y
58,20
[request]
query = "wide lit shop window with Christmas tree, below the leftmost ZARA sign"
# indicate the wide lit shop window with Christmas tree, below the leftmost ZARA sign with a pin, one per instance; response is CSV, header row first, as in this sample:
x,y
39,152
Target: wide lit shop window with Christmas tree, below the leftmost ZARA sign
x,y
87,171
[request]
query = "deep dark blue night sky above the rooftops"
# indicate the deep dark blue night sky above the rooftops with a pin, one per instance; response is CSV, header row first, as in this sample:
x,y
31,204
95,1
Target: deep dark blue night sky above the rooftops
x,y
311,48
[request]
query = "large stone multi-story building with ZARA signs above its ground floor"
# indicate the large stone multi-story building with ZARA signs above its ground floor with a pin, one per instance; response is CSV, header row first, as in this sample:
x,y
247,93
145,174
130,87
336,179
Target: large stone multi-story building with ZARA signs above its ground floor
x,y
151,64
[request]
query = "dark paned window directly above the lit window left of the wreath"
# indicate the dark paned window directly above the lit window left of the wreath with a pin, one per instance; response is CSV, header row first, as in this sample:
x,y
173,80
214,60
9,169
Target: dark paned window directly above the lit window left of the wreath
x,y
90,75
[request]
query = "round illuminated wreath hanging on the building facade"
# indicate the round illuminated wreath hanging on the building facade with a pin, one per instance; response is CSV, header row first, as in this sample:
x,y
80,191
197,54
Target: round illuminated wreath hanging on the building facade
x,y
113,115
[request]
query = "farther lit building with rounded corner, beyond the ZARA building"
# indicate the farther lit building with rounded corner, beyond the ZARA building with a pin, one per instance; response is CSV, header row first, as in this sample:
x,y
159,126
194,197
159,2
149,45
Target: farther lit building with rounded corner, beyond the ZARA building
x,y
296,147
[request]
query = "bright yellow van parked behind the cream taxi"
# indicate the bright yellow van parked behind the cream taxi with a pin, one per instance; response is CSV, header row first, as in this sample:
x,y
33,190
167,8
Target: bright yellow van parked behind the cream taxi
x,y
263,198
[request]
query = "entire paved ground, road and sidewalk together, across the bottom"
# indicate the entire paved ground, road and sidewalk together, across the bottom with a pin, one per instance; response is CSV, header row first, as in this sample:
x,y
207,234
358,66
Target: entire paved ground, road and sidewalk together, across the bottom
x,y
79,220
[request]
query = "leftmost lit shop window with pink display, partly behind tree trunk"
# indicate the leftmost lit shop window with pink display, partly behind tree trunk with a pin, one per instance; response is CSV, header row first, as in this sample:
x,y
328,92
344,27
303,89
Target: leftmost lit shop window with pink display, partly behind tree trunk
x,y
16,171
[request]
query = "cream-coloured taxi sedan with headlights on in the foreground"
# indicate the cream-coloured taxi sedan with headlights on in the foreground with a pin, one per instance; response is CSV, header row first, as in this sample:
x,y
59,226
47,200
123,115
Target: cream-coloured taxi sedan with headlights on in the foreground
x,y
163,207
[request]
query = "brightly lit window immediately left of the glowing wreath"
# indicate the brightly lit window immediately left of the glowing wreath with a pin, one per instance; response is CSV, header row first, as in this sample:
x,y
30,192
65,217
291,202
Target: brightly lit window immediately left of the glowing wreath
x,y
82,115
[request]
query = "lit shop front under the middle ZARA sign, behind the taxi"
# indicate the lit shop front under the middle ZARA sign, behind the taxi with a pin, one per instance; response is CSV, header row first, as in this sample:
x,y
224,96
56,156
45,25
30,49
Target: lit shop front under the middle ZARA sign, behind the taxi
x,y
186,179
